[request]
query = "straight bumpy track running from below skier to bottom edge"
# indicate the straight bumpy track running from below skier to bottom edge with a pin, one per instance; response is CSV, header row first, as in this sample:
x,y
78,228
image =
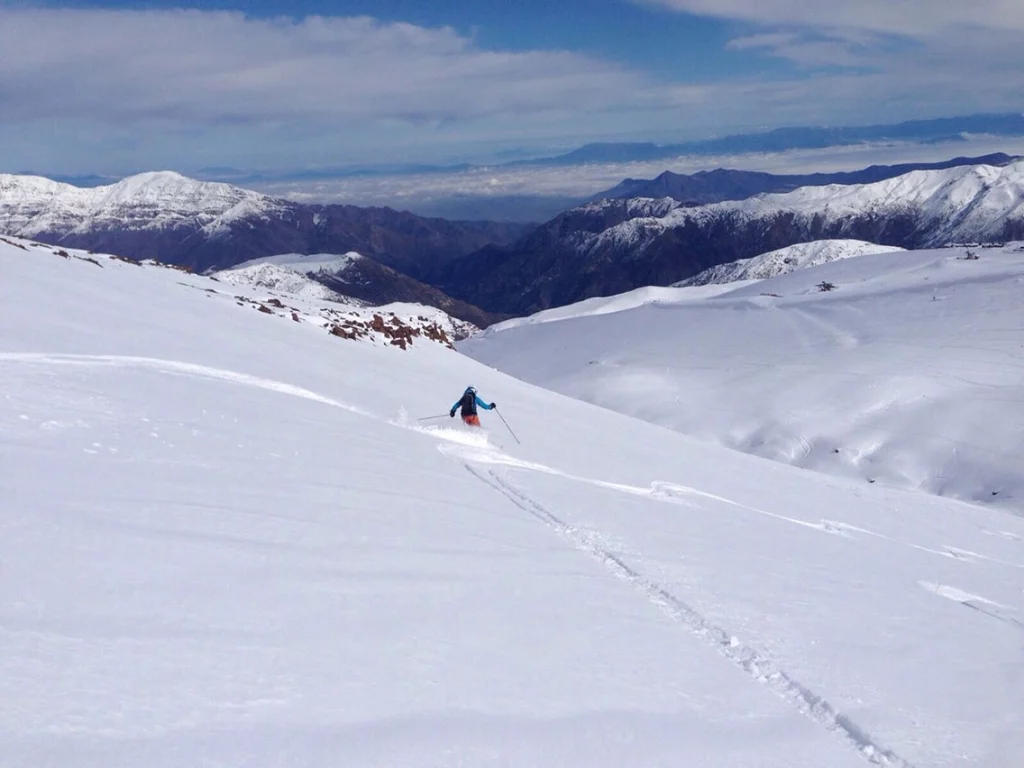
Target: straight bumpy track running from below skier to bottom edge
x,y
756,664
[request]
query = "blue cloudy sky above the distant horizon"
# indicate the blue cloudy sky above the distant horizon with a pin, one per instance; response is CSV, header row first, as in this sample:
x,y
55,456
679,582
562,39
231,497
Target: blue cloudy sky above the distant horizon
x,y
111,88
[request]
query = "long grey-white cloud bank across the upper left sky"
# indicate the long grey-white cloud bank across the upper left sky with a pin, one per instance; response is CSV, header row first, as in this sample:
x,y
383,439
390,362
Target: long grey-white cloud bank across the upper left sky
x,y
189,66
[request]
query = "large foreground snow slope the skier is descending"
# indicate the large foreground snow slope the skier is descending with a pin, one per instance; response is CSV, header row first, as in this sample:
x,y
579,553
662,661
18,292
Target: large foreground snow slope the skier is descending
x,y
228,541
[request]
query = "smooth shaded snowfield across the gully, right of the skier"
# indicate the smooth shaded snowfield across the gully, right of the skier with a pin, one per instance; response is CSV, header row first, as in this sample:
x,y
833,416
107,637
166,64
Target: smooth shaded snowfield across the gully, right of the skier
x,y
910,373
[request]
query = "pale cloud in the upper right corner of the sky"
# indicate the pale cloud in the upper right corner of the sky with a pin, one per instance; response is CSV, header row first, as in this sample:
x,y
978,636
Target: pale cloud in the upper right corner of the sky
x,y
932,57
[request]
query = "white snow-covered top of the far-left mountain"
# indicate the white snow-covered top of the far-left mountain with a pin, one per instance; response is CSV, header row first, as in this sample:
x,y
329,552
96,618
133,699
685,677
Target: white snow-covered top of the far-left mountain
x,y
163,200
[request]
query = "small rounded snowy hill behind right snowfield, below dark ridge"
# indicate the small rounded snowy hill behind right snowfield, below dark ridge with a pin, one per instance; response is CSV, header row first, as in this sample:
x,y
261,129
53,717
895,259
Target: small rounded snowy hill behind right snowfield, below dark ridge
x,y
786,261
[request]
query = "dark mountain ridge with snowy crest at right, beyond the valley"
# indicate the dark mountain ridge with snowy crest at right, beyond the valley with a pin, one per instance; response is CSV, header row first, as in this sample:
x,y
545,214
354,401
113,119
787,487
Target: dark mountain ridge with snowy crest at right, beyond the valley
x,y
603,249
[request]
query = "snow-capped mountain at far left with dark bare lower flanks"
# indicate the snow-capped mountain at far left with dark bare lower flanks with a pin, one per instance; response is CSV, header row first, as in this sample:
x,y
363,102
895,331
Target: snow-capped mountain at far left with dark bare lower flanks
x,y
202,225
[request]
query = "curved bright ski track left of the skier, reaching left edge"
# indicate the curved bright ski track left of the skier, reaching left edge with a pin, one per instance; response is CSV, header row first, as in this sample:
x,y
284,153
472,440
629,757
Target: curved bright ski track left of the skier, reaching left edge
x,y
175,367
